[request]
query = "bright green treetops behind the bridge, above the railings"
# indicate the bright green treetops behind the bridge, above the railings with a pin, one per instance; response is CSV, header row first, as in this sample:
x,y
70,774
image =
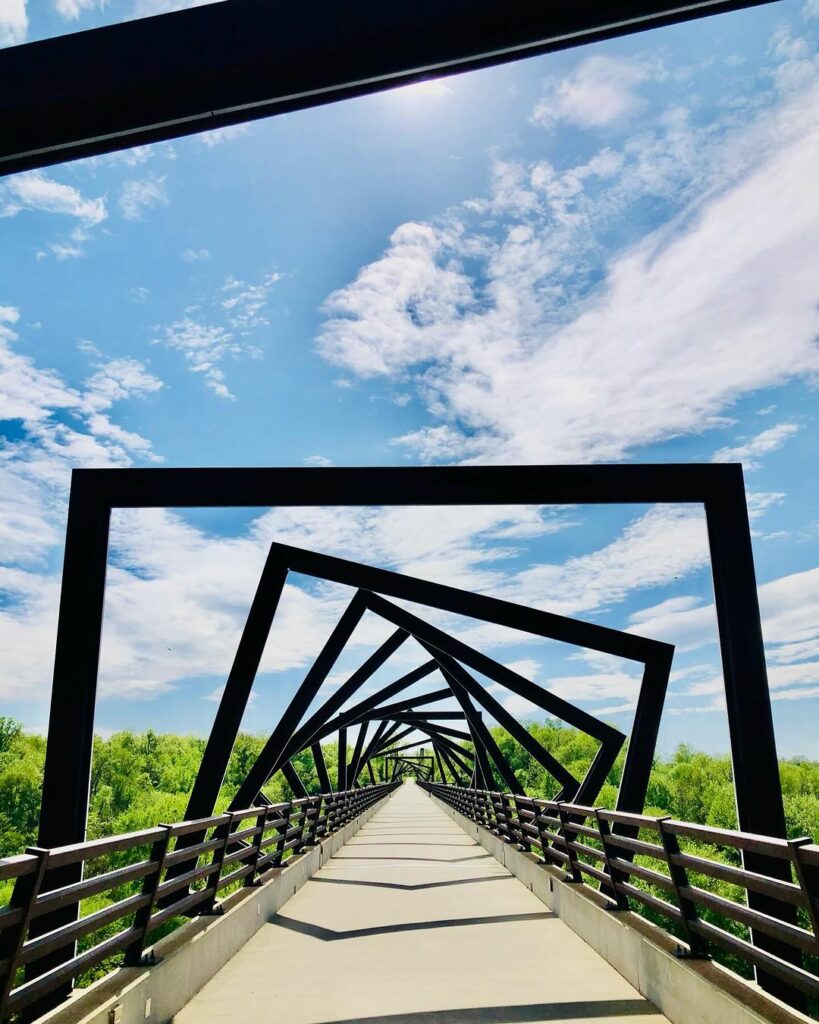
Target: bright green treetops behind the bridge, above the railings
x,y
140,780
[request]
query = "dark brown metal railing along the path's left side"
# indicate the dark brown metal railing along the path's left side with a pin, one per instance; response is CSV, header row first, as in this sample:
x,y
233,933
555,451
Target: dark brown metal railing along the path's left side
x,y
136,873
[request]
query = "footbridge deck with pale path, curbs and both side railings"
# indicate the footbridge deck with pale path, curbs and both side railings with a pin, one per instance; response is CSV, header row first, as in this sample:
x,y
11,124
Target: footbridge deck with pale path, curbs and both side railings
x,y
385,906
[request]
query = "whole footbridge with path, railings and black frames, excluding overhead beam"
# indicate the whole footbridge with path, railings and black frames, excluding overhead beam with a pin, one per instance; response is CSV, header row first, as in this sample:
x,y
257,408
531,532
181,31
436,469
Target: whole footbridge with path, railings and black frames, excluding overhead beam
x,y
414,904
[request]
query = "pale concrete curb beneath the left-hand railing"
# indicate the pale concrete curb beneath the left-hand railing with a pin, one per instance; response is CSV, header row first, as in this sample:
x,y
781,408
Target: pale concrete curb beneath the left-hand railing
x,y
195,953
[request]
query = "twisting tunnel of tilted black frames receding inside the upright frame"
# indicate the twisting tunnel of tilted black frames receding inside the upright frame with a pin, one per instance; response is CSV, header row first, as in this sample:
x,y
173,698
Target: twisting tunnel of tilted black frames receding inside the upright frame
x,y
452,659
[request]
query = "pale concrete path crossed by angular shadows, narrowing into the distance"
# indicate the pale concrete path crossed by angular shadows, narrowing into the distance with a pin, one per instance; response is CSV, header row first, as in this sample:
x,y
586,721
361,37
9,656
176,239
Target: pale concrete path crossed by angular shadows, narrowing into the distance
x,y
414,923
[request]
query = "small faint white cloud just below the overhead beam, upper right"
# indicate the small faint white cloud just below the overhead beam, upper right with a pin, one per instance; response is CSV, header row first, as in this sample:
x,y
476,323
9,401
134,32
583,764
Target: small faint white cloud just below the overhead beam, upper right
x,y
601,92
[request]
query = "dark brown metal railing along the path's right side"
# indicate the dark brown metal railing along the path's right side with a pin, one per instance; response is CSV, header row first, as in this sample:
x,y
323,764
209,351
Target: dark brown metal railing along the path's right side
x,y
601,845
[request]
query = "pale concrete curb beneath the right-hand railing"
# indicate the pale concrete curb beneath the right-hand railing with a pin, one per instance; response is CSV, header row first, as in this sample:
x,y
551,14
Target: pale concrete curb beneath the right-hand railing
x,y
686,992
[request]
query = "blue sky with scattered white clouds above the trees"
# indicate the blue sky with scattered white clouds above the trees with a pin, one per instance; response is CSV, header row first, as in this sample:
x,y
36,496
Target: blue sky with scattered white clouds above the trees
x,y
601,255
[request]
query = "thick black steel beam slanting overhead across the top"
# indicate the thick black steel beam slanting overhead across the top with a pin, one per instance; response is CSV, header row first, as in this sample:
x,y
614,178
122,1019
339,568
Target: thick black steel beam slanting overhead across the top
x,y
223,64
